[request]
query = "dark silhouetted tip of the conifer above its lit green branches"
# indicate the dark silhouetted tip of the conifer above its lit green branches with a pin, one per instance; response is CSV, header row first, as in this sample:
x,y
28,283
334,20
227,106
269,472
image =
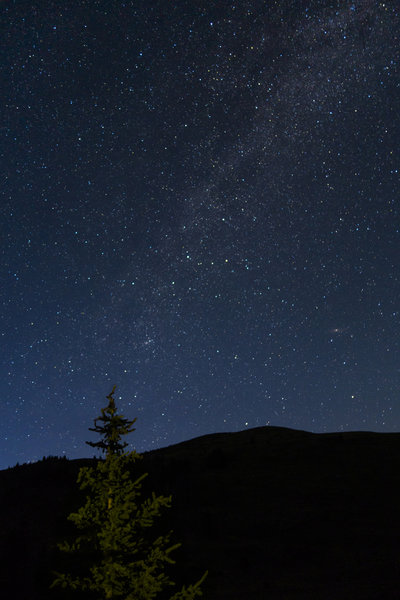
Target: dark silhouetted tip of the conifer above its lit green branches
x,y
112,428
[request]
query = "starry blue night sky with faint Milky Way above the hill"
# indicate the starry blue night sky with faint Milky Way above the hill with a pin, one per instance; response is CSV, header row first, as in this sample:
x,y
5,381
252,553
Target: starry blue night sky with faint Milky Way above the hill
x,y
199,204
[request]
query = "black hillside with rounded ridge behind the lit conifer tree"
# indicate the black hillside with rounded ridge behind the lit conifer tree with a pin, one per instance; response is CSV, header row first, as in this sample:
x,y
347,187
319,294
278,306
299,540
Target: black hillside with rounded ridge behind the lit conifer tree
x,y
272,513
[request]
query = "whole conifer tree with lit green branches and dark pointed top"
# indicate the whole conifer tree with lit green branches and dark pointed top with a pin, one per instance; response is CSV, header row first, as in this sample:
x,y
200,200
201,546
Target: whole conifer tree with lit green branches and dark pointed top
x,y
116,554
